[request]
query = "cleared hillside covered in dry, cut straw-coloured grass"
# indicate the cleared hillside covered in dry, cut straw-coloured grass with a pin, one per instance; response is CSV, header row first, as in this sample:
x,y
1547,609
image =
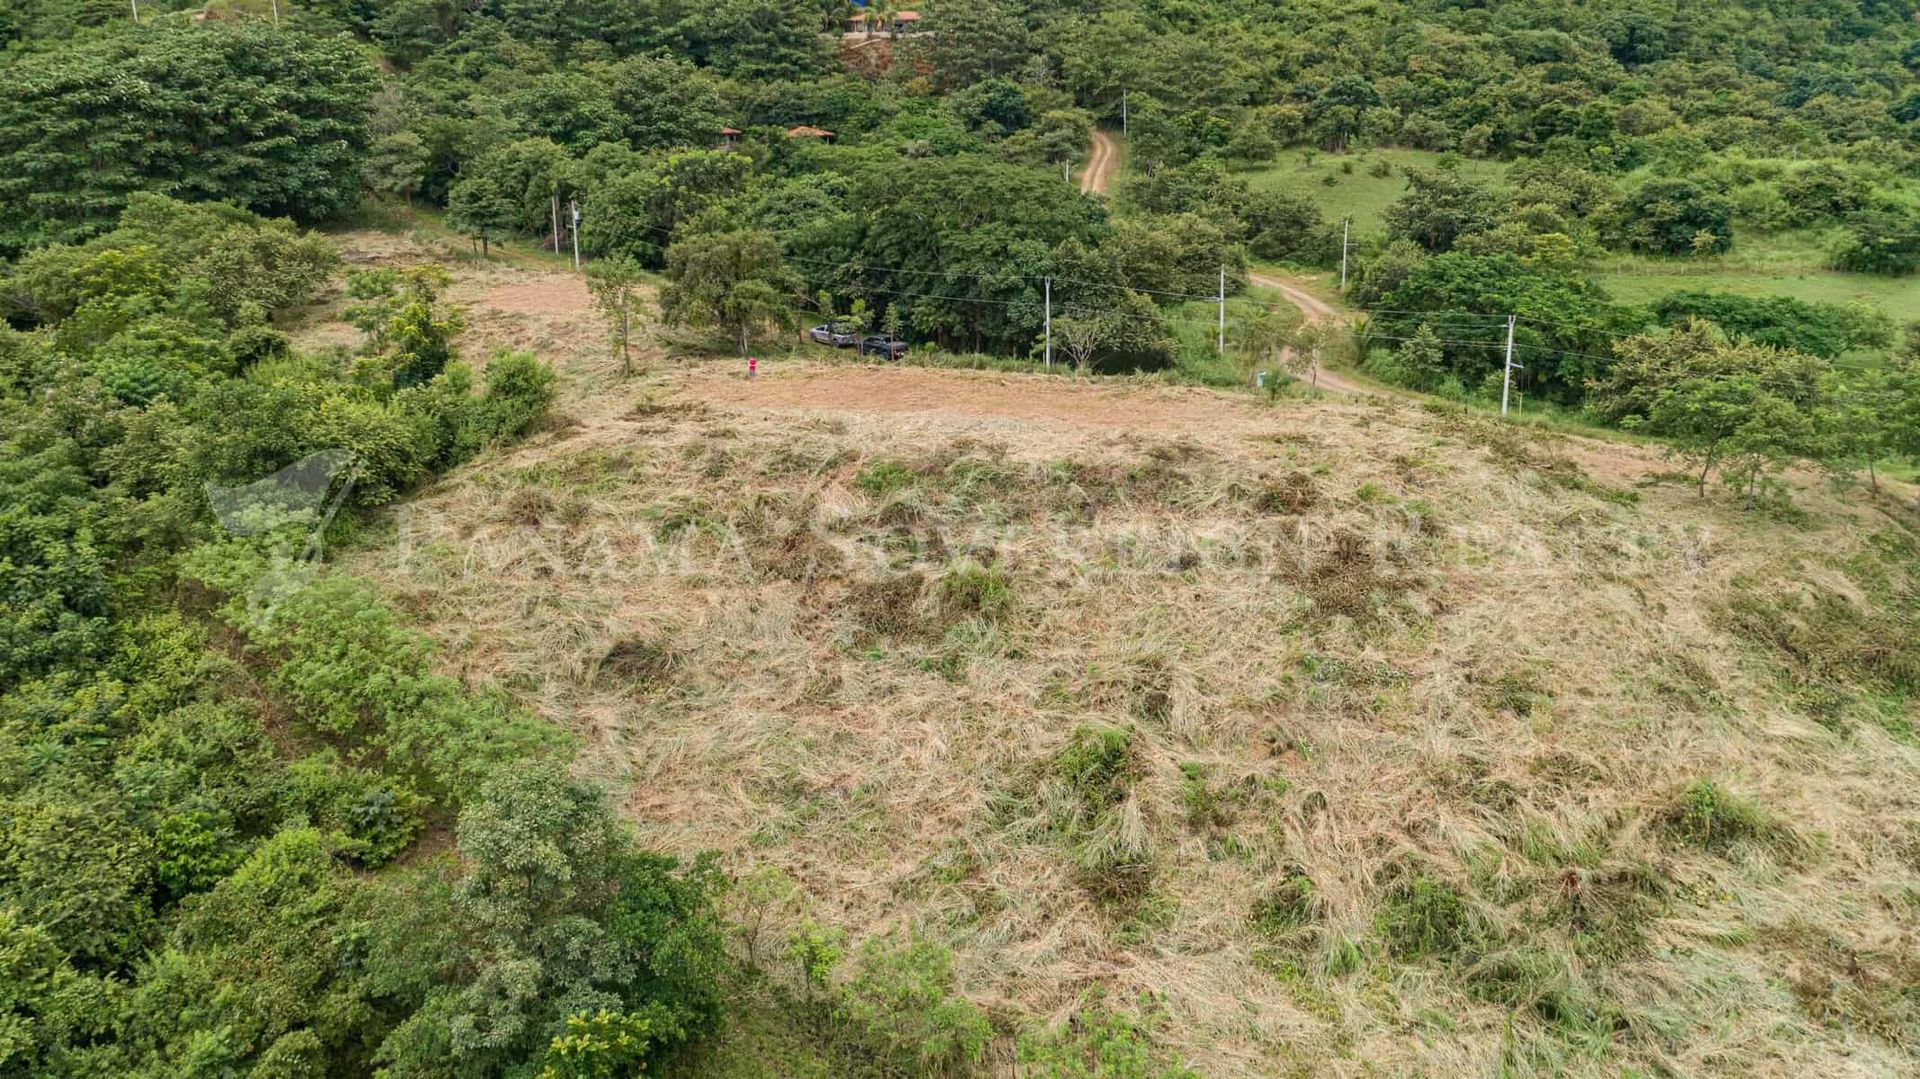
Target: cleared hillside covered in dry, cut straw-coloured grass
x,y
1326,736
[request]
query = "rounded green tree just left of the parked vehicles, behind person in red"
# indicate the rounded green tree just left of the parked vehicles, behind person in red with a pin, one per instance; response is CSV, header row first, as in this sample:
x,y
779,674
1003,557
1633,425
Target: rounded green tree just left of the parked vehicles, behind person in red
x,y
734,283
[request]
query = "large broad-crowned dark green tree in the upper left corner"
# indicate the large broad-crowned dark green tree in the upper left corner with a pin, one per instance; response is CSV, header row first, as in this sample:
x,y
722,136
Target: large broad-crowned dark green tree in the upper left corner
x,y
226,110
